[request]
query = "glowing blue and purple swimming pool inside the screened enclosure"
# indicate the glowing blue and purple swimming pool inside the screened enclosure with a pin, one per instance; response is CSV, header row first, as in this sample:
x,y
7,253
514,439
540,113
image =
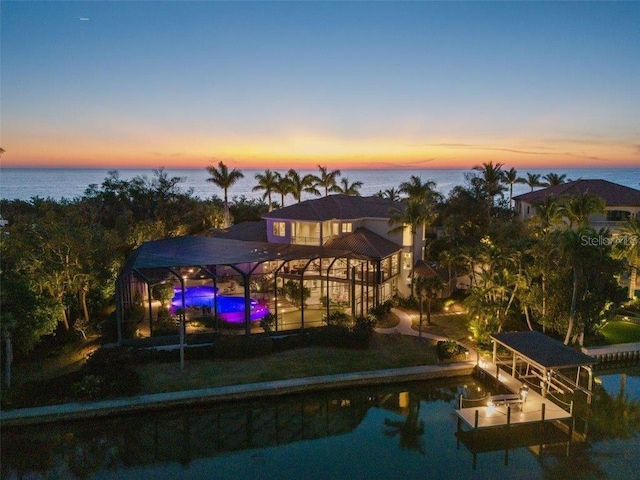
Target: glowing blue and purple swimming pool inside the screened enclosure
x,y
230,308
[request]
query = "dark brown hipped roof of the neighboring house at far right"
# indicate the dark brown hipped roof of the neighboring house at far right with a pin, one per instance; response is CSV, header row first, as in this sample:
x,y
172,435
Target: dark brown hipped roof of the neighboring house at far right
x,y
612,193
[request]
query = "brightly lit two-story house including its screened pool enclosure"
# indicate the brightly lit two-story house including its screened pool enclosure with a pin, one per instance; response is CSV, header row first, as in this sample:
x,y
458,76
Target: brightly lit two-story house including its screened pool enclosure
x,y
338,252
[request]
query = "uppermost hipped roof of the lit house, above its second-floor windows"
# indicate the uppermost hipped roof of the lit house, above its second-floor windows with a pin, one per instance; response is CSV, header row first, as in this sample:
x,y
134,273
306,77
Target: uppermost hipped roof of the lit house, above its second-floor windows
x,y
337,207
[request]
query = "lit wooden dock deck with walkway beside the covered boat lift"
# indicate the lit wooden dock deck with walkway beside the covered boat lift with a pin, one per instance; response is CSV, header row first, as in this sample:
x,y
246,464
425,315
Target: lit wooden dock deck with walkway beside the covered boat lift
x,y
505,410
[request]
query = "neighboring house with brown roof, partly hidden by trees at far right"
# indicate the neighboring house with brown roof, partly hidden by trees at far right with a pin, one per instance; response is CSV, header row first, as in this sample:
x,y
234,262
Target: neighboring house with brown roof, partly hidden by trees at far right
x,y
621,203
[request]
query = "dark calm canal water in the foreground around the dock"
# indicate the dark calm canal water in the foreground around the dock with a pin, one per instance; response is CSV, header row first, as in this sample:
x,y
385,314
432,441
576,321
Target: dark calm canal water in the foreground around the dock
x,y
406,431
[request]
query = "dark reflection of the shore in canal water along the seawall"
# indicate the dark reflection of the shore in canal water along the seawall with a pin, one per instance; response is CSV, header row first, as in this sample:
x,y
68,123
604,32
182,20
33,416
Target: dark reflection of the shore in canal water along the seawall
x,y
77,449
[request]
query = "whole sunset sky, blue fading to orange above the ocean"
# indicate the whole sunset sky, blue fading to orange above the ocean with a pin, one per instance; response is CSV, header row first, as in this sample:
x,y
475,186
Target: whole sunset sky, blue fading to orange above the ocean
x,y
294,84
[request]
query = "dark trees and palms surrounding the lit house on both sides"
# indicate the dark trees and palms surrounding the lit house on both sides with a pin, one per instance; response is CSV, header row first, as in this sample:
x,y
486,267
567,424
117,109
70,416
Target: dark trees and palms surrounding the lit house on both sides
x,y
60,259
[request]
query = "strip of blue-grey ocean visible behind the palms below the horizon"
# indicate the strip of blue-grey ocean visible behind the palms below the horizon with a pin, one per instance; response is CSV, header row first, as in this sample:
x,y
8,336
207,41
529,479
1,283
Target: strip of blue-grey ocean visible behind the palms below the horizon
x,y
69,183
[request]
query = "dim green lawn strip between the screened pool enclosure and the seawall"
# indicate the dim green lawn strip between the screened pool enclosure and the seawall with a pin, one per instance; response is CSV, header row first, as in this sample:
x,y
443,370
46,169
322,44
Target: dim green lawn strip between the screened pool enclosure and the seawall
x,y
387,351
